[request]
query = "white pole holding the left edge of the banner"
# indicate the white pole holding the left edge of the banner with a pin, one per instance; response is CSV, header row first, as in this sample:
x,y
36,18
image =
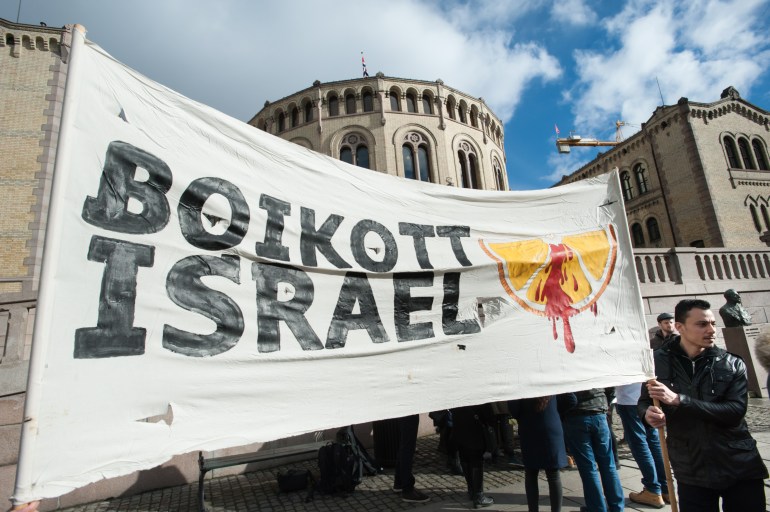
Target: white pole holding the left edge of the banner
x,y
42,333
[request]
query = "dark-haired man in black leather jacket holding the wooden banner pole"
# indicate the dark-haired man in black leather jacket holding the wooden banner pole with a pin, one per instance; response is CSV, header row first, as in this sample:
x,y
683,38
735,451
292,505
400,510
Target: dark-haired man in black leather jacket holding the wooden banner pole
x,y
703,394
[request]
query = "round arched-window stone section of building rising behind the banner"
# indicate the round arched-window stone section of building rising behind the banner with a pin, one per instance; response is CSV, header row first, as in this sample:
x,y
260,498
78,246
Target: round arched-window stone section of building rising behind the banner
x,y
408,128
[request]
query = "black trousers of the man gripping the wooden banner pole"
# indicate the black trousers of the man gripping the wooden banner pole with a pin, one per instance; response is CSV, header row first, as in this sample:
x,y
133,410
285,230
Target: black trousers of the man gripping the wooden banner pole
x,y
742,496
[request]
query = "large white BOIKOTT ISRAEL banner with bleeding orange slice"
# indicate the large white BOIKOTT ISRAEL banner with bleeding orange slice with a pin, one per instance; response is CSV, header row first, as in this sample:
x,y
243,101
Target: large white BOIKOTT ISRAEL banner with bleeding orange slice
x,y
247,289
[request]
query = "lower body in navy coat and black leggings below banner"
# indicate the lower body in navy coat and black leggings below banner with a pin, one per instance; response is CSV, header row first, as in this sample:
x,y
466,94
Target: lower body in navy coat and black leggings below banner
x,y
542,447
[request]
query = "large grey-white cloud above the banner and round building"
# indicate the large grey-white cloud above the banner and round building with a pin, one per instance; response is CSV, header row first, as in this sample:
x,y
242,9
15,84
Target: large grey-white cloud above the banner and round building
x,y
234,55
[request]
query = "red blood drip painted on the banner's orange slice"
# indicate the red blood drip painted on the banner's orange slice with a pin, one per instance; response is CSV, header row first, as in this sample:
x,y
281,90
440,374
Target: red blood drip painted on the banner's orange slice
x,y
557,302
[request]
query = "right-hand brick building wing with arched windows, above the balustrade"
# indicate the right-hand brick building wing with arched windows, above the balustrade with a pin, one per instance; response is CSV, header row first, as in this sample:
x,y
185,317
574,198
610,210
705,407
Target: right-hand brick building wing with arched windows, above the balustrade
x,y
697,174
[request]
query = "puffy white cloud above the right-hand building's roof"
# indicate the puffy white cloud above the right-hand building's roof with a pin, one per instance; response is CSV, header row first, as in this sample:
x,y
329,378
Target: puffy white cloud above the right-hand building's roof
x,y
694,51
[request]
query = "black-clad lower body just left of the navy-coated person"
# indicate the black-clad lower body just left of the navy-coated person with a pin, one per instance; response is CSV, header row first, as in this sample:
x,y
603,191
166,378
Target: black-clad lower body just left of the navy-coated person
x,y
471,425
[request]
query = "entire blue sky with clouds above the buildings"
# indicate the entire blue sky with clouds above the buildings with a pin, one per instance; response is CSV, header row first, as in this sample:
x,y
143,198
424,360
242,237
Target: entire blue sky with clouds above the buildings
x,y
537,63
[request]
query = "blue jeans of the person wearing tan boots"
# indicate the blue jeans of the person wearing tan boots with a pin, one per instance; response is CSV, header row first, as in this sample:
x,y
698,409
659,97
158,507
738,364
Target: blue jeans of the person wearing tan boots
x,y
645,447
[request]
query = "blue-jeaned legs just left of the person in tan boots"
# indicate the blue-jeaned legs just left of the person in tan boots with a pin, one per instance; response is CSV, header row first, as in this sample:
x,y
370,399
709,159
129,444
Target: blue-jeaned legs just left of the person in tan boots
x,y
578,437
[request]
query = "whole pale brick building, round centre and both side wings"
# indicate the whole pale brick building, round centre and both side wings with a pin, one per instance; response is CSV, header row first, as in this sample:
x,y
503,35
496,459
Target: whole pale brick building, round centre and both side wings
x,y
695,180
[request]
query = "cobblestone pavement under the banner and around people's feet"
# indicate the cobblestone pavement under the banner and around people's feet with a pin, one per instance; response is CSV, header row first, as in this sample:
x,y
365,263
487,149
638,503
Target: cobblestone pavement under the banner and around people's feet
x,y
257,491
